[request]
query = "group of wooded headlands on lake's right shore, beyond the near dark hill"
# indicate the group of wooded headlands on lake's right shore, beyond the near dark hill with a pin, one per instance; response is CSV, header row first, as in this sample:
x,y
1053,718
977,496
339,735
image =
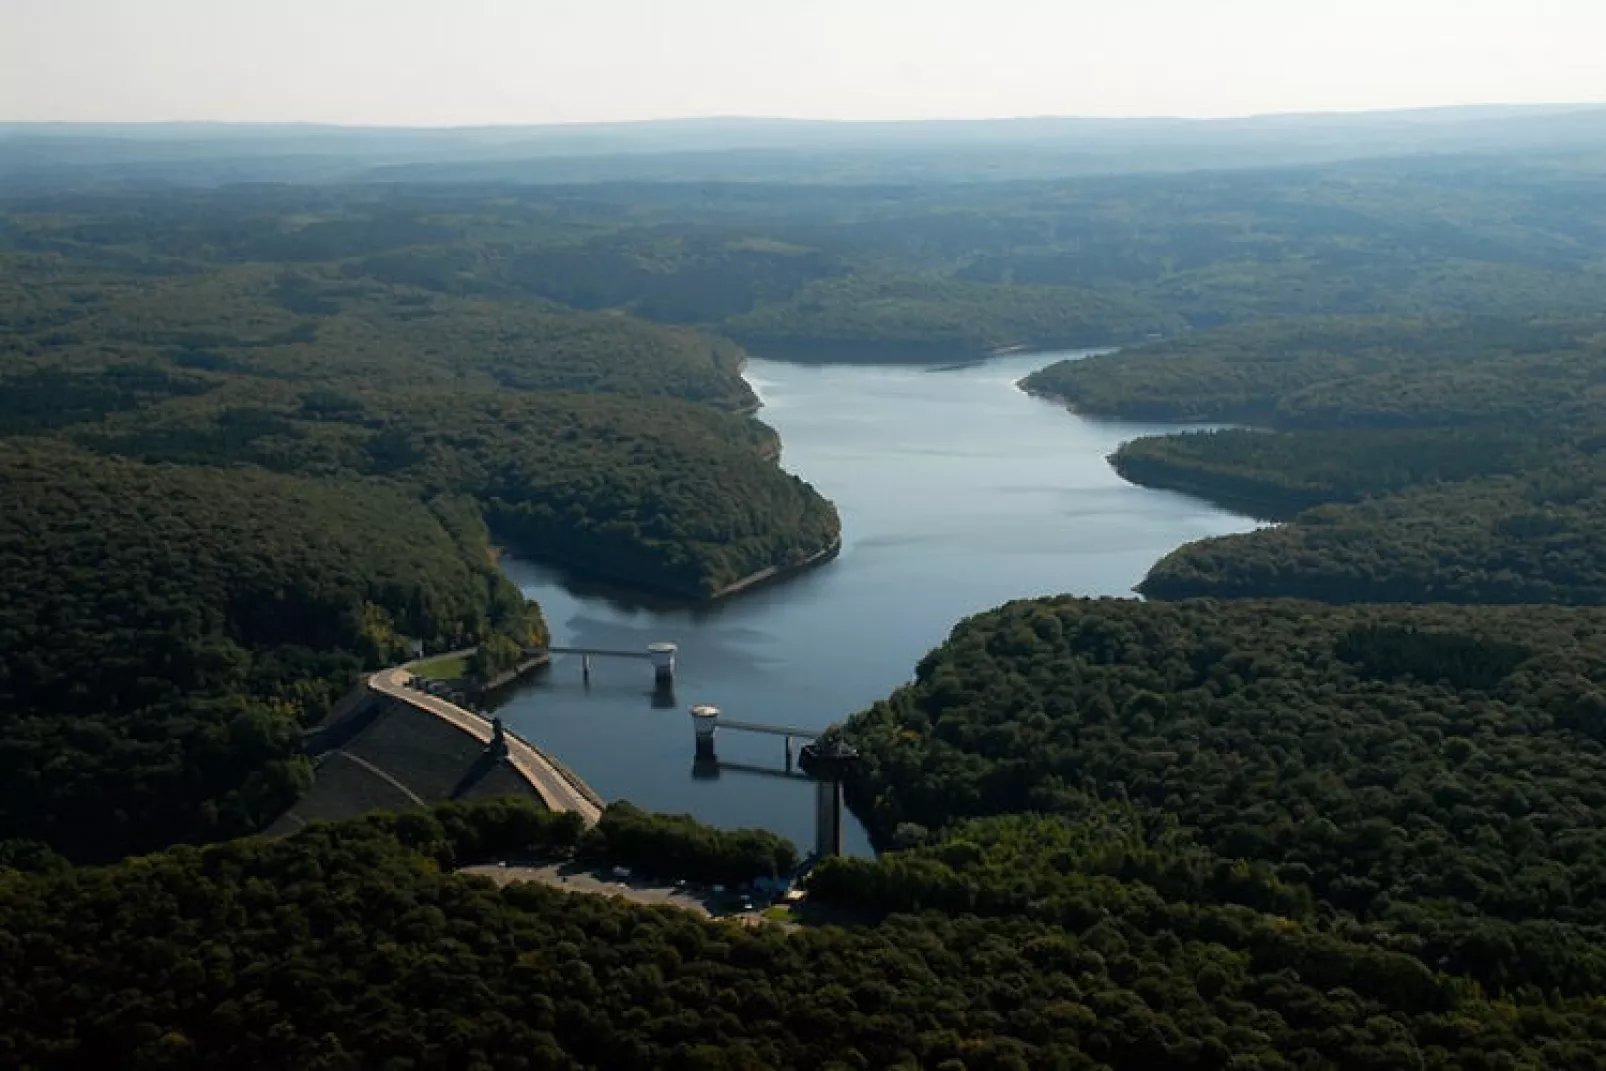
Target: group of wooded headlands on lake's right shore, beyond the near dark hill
x,y
1416,460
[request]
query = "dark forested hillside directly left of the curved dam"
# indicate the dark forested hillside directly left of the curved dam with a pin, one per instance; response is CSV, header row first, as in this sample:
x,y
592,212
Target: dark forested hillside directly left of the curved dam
x,y
166,633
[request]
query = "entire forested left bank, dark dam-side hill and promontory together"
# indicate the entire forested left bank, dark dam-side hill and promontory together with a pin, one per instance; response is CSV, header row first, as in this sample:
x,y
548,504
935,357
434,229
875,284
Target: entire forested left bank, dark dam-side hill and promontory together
x,y
232,486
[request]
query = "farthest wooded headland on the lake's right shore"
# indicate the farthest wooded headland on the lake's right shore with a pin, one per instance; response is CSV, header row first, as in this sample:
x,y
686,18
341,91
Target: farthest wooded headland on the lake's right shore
x,y
1351,373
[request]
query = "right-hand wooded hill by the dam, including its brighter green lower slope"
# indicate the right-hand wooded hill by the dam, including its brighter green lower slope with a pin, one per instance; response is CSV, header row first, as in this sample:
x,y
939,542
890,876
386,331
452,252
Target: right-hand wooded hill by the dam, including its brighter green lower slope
x,y
1419,781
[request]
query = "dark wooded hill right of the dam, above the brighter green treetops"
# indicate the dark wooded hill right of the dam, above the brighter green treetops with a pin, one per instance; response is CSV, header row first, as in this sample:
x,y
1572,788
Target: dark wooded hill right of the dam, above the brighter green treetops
x,y
1380,749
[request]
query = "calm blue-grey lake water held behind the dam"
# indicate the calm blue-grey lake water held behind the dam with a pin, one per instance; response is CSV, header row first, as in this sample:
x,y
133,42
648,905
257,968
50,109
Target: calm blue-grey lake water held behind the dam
x,y
956,491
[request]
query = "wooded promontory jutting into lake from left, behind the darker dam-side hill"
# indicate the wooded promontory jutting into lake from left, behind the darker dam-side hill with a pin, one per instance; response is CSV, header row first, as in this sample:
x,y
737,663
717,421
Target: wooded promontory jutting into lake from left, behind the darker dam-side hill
x,y
308,370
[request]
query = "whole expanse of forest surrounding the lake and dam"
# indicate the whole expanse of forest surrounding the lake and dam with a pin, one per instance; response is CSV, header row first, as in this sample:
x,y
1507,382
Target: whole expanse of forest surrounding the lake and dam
x,y
259,439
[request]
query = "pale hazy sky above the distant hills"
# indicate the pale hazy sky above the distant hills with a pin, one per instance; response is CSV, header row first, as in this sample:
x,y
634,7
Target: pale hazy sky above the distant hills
x,y
492,62
